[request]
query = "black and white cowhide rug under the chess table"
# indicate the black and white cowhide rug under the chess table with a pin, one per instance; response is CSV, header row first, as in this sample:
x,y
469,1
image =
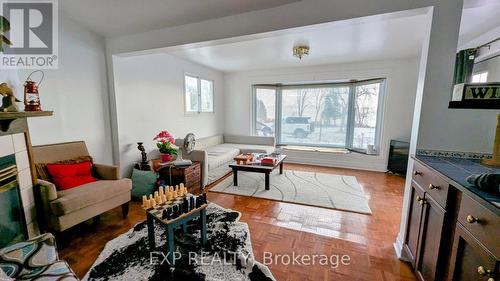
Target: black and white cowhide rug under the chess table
x,y
227,256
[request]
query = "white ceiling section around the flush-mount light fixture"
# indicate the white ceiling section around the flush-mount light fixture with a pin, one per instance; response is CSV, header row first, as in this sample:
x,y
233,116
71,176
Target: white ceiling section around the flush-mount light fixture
x,y
339,42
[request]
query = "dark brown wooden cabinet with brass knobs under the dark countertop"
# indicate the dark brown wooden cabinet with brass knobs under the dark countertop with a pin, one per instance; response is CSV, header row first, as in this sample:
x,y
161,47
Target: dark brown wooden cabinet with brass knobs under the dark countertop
x,y
450,235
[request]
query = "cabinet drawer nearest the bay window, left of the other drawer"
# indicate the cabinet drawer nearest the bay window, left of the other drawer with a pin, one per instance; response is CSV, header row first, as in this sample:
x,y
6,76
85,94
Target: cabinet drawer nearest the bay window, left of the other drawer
x,y
433,184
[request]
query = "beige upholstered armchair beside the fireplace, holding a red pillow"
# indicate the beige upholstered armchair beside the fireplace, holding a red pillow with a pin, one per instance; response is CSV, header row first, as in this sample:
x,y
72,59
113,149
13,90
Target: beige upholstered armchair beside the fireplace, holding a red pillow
x,y
63,209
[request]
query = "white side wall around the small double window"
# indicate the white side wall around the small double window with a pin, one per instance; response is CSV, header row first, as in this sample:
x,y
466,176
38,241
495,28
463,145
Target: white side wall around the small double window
x,y
150,98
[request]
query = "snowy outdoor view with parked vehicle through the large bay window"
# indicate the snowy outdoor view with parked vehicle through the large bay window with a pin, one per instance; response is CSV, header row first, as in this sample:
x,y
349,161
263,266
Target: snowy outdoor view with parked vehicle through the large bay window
x,y
332,115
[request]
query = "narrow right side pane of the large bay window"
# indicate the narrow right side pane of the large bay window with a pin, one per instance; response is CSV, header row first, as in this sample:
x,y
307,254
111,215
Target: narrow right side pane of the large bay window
x,y
365,114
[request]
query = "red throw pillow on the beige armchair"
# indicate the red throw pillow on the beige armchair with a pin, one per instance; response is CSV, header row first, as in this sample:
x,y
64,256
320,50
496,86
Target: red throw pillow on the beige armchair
x,y
66,176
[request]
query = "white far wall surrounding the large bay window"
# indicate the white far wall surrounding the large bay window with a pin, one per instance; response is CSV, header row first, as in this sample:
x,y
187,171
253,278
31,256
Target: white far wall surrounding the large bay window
x,y
400,92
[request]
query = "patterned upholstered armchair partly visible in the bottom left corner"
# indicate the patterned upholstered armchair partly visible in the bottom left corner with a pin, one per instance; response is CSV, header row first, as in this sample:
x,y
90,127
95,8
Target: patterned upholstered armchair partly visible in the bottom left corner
x,y
35,259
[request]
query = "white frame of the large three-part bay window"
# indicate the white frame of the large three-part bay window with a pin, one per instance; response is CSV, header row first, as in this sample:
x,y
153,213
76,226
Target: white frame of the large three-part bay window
x,y
350,114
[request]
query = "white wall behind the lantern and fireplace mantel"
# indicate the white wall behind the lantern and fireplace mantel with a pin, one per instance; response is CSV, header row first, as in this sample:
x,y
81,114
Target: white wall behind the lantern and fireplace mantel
x,y
76,92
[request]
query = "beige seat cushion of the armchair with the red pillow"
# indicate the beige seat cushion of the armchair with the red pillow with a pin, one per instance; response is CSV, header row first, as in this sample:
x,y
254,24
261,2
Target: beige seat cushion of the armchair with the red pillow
x,y
80,197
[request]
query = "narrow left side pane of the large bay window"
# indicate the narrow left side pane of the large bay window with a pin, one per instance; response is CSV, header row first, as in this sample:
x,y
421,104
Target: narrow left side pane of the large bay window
x,y
265,110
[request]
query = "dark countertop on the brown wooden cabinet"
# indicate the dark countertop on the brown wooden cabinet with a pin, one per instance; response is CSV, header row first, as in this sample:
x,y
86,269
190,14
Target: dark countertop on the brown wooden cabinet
x,y
456,171
